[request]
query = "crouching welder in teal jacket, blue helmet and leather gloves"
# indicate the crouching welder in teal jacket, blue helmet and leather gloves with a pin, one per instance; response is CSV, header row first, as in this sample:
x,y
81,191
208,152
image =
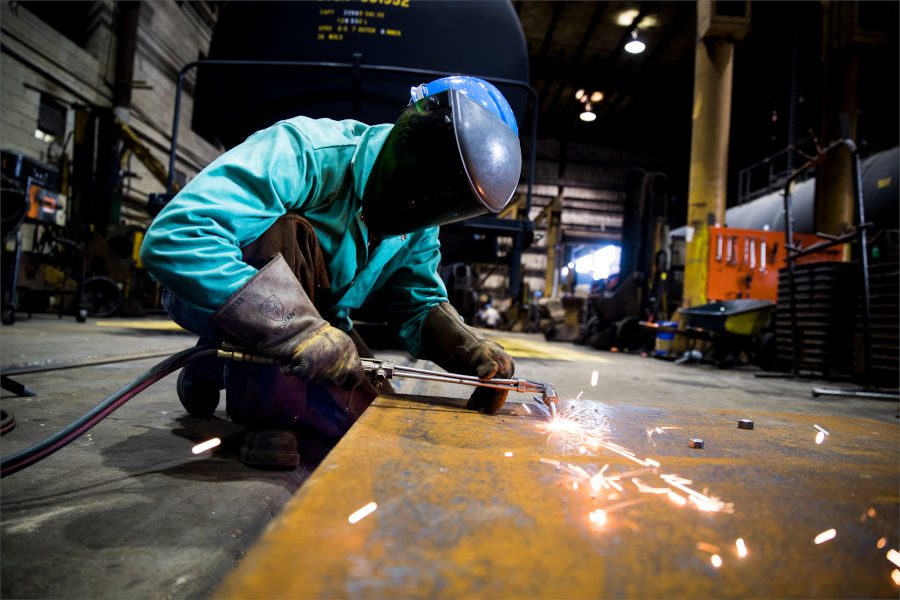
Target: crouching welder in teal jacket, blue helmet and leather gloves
x,y
274,244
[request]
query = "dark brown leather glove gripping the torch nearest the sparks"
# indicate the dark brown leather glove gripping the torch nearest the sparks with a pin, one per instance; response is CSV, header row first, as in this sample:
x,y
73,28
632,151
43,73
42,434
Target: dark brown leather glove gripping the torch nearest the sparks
x,y
458,348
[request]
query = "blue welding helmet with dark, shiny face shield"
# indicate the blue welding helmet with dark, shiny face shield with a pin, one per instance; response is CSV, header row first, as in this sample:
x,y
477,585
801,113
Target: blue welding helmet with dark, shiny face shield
x,y
448,158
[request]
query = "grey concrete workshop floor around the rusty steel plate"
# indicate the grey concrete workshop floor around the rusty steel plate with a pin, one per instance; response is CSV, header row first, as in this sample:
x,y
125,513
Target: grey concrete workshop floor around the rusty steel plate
x,y
127,510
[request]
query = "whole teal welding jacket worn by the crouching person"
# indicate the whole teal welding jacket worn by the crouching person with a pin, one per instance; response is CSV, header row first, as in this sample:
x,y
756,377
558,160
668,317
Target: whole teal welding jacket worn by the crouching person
x,y
317,168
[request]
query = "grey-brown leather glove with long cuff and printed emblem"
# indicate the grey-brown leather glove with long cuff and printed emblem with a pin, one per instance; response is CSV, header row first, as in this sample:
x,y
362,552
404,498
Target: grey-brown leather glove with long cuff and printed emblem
x,y
271,314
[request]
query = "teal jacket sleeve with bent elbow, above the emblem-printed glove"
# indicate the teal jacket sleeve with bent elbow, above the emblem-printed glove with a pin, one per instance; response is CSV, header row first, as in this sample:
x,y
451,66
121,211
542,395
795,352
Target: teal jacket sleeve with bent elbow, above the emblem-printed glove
x,y
194,245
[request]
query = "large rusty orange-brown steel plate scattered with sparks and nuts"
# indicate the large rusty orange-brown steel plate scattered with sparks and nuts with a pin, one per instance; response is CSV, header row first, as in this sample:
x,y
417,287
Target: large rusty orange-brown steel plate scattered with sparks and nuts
x,y
475,506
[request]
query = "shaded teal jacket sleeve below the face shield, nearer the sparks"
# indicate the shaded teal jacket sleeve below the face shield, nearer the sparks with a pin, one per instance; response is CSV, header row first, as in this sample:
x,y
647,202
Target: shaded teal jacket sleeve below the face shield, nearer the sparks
x,y
415,288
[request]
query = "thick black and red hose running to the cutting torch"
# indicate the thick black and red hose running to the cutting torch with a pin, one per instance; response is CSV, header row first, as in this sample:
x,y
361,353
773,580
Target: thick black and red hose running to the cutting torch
x,y
19,460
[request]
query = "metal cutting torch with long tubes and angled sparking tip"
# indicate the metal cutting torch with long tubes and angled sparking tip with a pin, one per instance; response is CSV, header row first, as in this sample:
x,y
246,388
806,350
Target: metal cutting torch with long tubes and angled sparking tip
x,y
382,370
